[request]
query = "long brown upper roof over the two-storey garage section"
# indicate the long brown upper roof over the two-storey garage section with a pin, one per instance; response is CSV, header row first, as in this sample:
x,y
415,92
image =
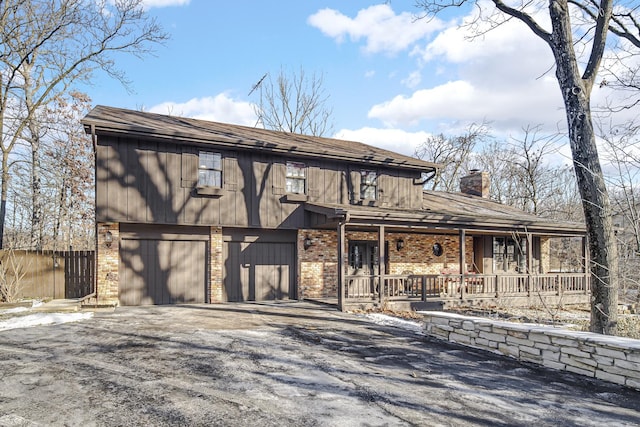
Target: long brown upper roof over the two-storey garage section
x,y
116,121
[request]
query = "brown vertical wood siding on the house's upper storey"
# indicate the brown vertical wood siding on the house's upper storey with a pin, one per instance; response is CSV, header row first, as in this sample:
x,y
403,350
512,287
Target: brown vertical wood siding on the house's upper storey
x,y
154,182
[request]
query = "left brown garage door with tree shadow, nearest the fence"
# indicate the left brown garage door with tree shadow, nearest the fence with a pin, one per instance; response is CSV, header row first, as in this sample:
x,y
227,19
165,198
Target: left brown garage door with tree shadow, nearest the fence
x,y
162,271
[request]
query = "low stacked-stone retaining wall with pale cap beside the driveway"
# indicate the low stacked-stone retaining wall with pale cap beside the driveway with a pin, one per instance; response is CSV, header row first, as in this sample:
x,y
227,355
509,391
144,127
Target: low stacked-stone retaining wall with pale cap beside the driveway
x,y
604,357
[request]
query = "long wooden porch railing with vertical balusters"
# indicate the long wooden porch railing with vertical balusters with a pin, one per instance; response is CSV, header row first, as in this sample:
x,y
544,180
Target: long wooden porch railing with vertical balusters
x,y
462,286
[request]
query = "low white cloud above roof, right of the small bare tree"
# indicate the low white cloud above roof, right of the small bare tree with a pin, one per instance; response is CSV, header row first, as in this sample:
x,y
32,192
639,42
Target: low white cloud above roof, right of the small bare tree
x,y
396,140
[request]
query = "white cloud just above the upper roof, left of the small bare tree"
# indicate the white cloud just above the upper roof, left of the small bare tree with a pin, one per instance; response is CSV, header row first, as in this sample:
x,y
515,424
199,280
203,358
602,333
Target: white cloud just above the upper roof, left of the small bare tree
x,y
220,108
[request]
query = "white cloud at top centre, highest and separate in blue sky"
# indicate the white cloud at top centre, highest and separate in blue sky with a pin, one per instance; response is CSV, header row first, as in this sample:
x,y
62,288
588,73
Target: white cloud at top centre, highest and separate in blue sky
x,y
383,30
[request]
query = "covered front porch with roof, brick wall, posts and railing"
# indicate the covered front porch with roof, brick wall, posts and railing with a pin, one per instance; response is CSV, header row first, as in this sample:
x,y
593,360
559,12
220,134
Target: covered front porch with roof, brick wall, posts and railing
x,y
485,253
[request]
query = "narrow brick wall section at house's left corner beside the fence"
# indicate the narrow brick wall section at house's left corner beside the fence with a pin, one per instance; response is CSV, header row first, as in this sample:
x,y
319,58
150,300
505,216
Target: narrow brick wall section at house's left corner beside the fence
x,y
108,261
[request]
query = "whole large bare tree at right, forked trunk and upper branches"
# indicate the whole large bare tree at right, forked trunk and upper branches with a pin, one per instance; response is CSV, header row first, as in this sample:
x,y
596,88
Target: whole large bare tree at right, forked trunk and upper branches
x,y
591,21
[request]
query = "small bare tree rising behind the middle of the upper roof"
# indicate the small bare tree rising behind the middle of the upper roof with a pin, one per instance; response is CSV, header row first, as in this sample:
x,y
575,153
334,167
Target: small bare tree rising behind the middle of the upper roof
x,y
294,103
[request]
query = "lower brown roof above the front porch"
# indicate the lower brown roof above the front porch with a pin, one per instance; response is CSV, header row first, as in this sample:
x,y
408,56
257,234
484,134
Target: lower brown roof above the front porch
x,y
443,210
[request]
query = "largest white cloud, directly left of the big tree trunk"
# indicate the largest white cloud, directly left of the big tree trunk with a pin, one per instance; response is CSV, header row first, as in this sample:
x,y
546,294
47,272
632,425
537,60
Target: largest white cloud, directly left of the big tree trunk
x,y
505,77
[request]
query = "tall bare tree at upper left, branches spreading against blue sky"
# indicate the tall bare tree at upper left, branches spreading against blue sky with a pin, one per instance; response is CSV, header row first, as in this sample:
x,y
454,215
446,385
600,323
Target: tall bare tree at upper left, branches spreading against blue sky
x,y
46,46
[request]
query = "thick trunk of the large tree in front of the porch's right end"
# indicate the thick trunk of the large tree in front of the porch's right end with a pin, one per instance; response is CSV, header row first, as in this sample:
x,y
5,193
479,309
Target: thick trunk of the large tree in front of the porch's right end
x,y
595,199
